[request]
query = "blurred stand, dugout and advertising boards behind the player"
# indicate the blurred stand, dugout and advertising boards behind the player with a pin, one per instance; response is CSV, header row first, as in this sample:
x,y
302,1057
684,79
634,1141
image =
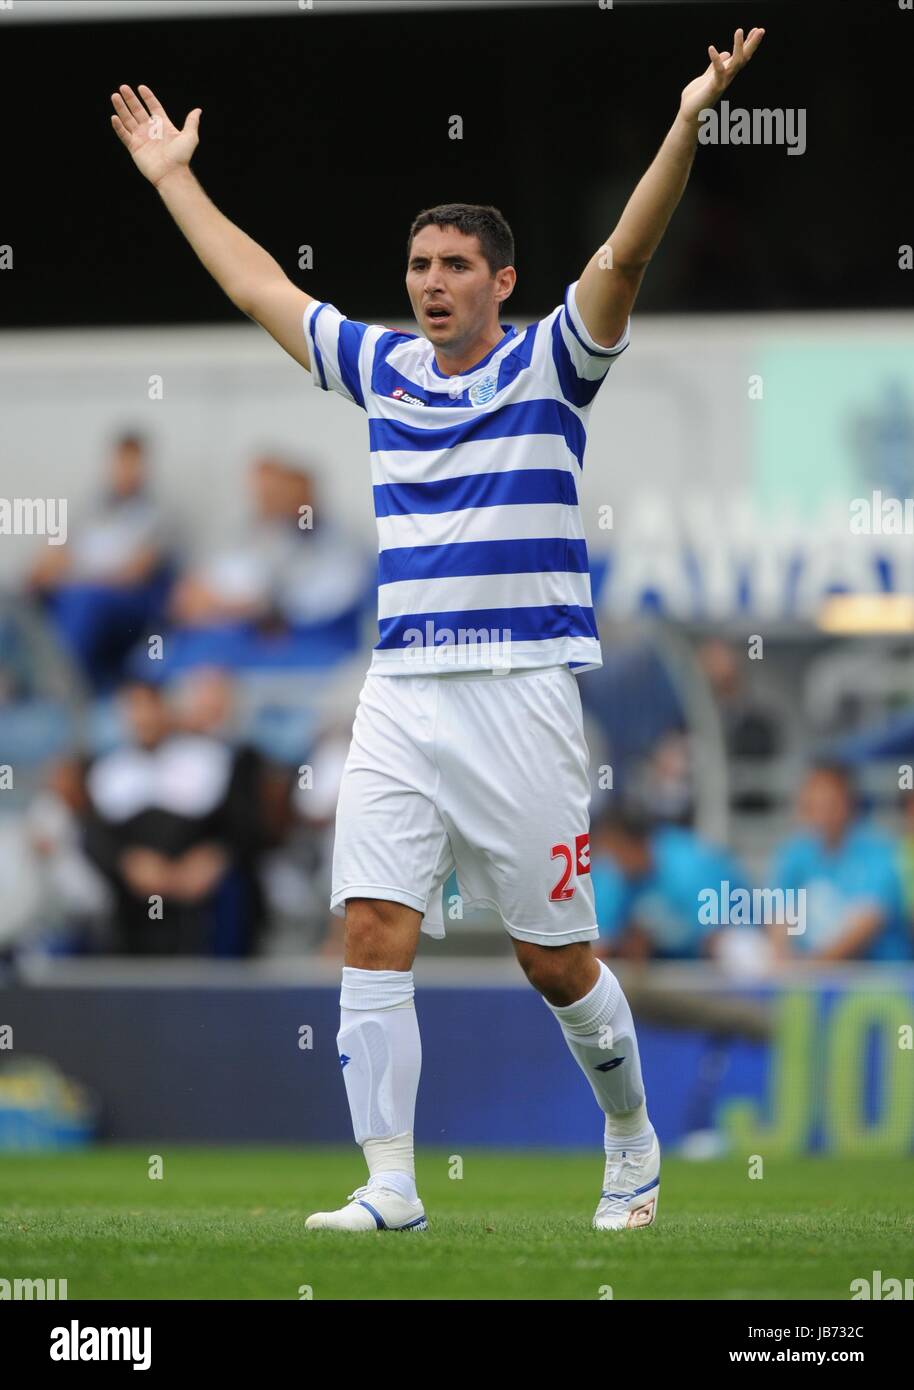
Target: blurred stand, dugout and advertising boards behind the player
x,y
188,573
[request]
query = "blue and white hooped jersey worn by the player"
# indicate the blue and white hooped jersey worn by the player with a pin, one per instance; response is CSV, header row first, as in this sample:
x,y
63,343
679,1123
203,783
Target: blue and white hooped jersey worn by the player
x,y
483,553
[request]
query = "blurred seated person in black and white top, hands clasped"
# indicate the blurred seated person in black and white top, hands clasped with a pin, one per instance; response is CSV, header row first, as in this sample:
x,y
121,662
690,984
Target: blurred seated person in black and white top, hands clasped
x,y
167,825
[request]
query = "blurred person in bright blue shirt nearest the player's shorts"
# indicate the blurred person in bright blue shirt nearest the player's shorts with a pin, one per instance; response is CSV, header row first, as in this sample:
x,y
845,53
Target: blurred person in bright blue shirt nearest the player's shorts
x,y
652,885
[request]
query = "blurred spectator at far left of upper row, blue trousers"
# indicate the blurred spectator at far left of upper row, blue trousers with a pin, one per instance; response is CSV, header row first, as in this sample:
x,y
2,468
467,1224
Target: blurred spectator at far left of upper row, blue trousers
x,y
108,584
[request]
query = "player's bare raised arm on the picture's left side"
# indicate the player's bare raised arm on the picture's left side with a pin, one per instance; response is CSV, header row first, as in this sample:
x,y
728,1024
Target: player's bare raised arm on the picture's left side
x,y
248,275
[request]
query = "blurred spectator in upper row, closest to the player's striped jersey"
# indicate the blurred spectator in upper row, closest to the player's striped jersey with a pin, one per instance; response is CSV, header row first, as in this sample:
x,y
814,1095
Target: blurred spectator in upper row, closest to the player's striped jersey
x,y
291,582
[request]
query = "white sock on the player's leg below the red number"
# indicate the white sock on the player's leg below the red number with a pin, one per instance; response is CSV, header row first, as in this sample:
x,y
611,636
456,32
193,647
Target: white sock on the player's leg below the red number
x,y
599,1029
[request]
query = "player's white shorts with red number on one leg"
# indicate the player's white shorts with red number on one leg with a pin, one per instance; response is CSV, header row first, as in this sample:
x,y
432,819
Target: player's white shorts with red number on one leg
x,y
483,772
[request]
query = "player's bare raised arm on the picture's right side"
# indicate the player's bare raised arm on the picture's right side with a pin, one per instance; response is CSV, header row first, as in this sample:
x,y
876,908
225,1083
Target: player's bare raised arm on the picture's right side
x,y
613,276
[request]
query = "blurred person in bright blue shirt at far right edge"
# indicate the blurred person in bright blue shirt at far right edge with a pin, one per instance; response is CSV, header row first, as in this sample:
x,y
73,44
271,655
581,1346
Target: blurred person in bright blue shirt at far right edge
x,y
855,908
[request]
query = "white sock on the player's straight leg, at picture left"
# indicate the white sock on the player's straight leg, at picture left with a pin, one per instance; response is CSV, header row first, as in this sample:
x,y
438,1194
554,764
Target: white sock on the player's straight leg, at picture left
x,y
381,1056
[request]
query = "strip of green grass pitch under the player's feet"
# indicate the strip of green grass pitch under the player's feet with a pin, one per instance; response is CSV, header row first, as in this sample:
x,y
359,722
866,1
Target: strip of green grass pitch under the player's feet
x,y
230,1224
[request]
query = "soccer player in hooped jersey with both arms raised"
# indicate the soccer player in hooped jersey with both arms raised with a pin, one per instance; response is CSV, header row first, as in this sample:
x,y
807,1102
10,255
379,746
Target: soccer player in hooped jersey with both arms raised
x,y
469,746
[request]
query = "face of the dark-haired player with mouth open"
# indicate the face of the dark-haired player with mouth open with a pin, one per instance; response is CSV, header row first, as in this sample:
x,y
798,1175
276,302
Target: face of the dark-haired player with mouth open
x,y
455,295
